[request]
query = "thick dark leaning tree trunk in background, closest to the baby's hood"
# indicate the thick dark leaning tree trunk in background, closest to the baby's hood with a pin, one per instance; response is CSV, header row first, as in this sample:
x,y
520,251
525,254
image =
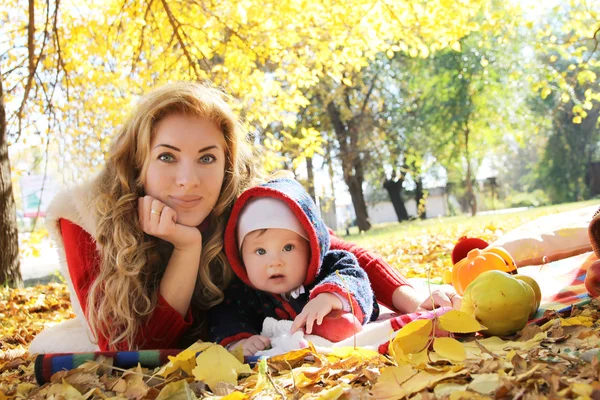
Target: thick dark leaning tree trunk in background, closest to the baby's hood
x,y
347,136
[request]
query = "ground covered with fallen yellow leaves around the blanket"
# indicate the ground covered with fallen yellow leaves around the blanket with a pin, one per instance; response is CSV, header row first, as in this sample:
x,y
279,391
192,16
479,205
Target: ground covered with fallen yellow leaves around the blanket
x,y
556,360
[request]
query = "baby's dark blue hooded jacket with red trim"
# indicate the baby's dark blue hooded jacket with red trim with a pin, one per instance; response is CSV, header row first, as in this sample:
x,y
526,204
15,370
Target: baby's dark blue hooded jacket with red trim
x,y
244,308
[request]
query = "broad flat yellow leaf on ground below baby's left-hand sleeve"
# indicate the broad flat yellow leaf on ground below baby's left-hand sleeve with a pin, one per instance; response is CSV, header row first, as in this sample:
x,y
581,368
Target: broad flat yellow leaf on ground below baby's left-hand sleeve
x,y
216,364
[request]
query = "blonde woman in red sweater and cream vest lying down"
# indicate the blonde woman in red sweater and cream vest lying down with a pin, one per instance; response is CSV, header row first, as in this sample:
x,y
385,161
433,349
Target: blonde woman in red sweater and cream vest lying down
x,y
141,245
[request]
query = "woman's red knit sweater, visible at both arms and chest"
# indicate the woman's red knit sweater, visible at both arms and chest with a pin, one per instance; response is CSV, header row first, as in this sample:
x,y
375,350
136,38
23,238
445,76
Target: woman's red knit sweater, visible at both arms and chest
x,y
165,326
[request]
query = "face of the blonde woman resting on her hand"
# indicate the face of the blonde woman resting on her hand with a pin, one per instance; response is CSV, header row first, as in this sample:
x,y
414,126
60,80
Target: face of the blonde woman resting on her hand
x,y
187,166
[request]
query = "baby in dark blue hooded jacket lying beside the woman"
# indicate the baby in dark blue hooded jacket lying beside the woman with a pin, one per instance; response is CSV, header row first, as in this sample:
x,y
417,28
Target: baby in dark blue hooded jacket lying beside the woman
x,y
278,247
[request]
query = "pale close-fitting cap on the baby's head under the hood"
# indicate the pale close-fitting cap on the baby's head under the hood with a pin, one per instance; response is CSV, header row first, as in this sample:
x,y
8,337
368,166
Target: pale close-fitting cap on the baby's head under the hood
x,y
265,213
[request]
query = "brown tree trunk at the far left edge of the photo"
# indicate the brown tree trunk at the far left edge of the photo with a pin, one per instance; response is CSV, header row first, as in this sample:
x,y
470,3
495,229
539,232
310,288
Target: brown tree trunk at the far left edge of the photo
x,y
10,273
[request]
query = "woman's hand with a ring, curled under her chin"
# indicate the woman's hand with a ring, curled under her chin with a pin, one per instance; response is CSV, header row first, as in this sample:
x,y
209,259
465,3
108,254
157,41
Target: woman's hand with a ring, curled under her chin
x,y
157,219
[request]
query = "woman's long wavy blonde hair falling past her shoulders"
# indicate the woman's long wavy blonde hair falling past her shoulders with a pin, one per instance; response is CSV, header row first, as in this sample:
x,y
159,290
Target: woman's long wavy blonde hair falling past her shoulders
x,y
125,293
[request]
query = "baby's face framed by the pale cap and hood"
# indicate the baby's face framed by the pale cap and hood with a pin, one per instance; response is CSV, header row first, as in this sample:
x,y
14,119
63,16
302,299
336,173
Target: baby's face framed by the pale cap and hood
x,y
276,259
